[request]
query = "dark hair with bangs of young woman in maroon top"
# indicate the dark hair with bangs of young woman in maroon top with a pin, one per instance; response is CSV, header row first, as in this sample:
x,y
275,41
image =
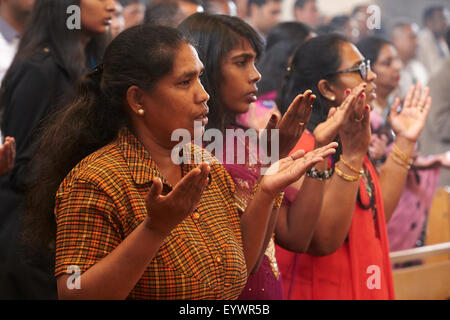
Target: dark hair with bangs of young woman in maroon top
x,y
214,37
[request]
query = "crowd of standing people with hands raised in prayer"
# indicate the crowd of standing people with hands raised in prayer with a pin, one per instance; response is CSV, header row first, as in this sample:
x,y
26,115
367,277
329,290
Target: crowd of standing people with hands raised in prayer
x,y
88,181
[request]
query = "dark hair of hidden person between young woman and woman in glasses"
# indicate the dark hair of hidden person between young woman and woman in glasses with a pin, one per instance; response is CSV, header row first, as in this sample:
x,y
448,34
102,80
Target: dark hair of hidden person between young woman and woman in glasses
x,y
282,41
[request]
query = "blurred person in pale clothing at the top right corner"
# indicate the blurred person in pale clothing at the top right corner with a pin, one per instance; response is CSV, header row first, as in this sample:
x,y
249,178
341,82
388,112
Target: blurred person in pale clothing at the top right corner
x,y
432,46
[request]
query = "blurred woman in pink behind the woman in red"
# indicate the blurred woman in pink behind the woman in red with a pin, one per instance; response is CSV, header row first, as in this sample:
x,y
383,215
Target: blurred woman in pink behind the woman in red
x,y
406,226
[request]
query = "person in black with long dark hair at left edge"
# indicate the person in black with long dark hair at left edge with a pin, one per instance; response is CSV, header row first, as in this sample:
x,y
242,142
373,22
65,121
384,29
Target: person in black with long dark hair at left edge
x,y
49,60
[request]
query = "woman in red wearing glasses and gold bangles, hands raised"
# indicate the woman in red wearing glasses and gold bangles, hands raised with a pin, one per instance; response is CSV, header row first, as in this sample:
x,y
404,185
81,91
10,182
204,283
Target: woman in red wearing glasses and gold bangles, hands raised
x,y
348,257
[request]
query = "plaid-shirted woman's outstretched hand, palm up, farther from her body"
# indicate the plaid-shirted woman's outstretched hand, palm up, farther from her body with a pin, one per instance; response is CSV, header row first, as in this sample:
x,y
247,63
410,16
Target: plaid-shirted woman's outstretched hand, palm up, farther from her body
x,y
288,170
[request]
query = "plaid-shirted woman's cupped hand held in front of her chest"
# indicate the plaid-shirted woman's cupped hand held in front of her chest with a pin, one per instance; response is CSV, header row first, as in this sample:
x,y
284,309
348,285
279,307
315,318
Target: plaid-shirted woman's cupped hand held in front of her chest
x,y
166,212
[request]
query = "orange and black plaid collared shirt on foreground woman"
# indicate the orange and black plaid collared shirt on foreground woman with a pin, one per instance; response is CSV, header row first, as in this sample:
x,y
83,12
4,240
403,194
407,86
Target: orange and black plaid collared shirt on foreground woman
x,y
101,202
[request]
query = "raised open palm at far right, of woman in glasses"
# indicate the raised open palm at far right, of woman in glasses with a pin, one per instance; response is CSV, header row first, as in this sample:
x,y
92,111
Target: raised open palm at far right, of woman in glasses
x,y
411,120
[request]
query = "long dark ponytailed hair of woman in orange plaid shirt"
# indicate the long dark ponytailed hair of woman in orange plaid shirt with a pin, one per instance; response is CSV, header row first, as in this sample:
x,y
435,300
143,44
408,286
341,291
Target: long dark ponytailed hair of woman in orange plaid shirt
x,y
139,56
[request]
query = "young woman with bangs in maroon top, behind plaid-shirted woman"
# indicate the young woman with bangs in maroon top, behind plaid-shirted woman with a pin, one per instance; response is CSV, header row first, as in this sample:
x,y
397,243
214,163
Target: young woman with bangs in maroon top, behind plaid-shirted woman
x,y
229,48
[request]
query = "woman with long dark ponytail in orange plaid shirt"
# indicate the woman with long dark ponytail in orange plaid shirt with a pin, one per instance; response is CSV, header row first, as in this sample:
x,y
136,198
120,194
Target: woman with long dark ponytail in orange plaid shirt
x,y
119,211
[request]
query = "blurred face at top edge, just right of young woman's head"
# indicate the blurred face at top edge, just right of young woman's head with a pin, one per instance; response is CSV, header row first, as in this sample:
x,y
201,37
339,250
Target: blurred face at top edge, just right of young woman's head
x,y
263,15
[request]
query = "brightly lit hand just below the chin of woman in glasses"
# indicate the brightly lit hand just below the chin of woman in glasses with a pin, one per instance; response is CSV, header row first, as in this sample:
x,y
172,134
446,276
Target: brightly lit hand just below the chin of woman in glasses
x,y
327,131
